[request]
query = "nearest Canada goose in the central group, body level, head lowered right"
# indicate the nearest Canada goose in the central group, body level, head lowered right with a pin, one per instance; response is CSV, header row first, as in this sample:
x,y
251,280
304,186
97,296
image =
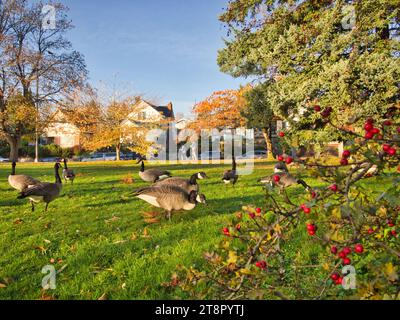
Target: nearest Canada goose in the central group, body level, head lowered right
x,y
170,198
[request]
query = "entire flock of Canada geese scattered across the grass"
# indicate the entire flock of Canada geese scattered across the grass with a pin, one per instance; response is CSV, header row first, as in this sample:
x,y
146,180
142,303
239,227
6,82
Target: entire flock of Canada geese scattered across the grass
x,y
166,192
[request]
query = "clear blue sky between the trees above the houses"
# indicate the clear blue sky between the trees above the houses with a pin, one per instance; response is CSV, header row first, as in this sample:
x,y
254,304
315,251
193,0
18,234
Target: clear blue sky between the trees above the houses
x,y
165,49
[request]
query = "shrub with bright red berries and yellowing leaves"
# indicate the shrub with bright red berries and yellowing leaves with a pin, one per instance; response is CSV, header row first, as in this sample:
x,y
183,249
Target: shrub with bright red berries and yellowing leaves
x,y
296,248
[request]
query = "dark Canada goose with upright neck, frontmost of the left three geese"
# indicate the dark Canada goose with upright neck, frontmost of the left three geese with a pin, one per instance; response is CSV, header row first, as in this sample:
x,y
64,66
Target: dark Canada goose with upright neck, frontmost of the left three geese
x,y
43,191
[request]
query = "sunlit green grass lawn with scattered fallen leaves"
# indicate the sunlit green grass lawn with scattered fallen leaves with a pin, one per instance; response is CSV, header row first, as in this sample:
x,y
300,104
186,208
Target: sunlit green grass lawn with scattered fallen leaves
x,y
98,236
